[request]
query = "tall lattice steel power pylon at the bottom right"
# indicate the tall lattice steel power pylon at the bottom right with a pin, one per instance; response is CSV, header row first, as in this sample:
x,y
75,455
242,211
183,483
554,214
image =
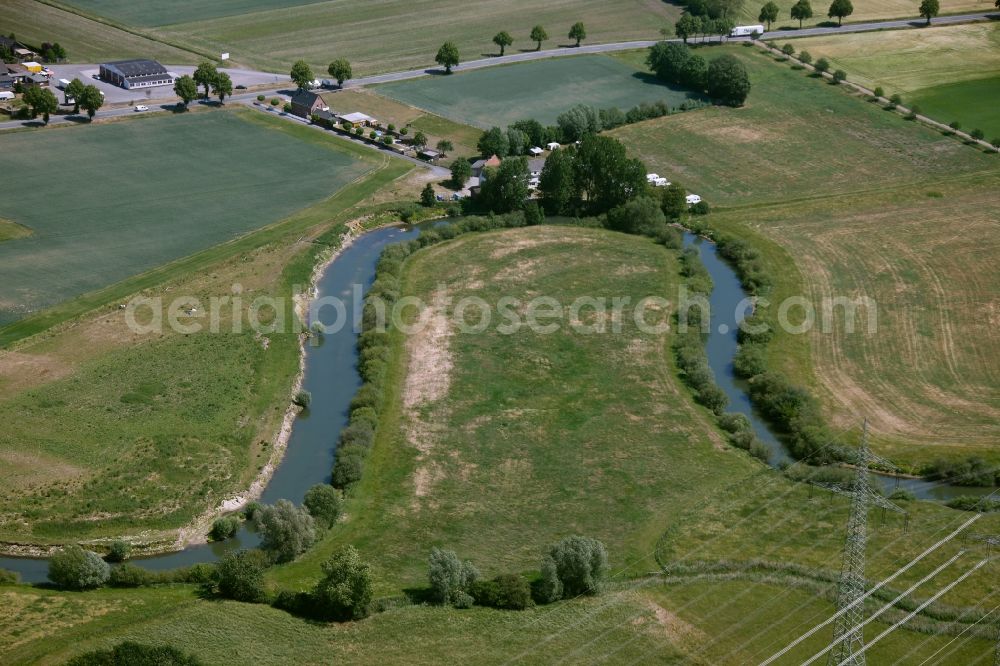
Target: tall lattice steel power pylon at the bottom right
x,y
848,632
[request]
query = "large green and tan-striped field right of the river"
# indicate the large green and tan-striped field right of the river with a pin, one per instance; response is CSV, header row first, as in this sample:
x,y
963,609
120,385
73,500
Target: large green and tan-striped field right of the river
x,y
846,199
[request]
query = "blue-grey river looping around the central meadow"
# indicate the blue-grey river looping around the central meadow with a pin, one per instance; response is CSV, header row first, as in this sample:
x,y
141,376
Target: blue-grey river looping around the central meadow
x,y
332,378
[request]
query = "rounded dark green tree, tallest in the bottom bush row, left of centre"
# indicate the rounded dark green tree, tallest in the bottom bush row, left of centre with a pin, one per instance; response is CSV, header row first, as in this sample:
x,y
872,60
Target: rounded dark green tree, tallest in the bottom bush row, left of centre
x,y
346,589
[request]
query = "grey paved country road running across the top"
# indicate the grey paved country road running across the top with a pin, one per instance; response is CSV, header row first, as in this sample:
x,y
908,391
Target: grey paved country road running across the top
x,y
254,78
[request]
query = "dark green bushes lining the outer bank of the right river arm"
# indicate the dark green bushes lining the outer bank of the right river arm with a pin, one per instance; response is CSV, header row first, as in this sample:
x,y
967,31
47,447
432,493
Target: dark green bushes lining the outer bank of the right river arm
x,y
790,408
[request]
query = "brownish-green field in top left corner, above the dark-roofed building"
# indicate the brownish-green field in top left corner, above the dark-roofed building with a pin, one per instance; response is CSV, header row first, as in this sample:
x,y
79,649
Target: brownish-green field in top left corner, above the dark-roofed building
x,y
85,40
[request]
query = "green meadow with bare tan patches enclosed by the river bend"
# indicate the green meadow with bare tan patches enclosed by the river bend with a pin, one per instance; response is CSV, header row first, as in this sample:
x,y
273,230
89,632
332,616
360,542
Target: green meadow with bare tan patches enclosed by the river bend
x,y
497,444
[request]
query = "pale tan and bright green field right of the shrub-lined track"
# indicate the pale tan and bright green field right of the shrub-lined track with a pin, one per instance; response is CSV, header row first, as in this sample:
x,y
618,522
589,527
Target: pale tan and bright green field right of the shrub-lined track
x,y
951,72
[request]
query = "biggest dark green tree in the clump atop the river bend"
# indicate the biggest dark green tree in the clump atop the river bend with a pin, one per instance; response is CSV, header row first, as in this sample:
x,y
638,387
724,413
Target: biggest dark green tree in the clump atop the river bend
x,y
604,175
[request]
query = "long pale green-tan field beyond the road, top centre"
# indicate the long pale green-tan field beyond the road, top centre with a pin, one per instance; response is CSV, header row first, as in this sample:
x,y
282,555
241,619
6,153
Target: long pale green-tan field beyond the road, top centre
x,y
376,37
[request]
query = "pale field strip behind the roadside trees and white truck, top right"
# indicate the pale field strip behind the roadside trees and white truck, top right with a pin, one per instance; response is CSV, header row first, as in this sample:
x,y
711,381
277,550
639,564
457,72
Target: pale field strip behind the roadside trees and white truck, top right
x,y
864,10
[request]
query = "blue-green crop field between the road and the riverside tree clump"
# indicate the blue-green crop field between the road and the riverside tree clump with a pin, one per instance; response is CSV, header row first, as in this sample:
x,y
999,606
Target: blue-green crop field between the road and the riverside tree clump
x,y
540,90
